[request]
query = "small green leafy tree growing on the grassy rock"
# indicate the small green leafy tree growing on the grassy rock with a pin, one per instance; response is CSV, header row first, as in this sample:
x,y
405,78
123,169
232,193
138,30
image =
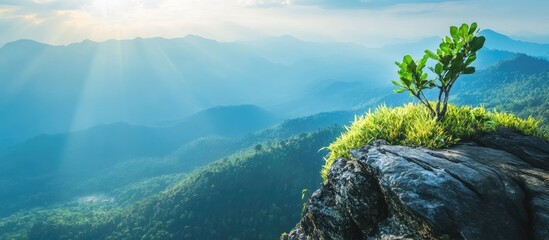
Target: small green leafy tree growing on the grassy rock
x,y
453,58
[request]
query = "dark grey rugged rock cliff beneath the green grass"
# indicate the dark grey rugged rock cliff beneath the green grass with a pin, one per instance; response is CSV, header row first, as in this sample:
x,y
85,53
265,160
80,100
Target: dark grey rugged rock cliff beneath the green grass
x,y
495,187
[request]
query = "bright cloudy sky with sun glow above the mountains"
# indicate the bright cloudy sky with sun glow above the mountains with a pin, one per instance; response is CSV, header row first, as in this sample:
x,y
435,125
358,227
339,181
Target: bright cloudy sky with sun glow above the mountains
x,y
366,22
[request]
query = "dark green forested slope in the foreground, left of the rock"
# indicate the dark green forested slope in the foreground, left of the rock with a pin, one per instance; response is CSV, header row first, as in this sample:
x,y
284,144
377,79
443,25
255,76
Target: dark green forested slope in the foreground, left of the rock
x,y
207,204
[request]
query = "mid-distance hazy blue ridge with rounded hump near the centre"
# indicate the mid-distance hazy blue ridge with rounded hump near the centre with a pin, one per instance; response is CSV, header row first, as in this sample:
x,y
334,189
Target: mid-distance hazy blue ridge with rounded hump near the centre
x,y
103,144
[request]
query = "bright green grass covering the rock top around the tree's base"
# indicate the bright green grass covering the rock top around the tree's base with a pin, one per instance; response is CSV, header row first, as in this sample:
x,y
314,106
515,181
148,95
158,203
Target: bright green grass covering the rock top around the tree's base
x,y
412,125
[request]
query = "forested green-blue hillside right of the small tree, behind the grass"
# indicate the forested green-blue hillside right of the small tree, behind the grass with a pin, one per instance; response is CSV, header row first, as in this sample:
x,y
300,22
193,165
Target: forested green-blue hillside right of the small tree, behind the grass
x,y
520,86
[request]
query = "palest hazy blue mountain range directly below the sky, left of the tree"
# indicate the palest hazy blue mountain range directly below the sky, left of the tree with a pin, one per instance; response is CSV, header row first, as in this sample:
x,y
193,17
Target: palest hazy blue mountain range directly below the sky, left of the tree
x,y
51,89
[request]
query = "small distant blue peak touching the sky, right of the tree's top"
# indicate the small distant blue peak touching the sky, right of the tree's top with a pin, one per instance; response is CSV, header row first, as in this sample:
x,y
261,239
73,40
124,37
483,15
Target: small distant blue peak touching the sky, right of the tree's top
x,y
501,42
